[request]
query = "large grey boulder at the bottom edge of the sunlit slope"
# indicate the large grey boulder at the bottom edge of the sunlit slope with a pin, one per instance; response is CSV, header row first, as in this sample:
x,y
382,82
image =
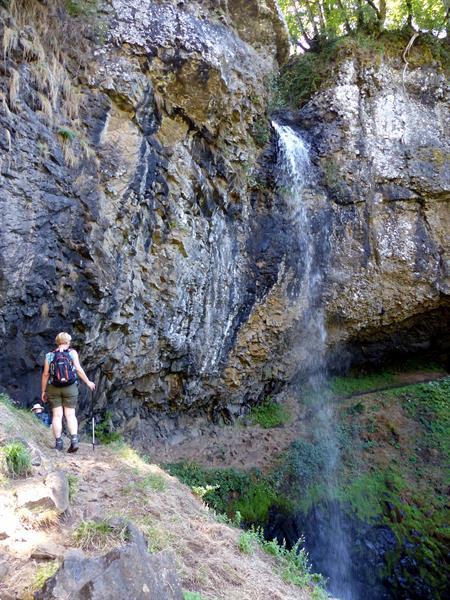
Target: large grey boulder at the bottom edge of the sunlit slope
x,y
125,573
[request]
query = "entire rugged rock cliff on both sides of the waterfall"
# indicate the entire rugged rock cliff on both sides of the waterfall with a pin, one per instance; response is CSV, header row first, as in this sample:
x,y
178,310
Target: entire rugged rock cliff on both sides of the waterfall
x,y
140,212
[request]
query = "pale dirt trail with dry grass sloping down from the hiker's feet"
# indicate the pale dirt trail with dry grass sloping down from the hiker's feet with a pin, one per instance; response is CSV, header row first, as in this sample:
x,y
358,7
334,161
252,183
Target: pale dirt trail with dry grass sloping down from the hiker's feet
x,y
118,483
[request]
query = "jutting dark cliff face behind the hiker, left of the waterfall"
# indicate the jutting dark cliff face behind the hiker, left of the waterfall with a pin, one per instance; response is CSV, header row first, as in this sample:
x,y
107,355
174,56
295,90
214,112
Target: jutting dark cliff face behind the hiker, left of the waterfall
x,y
128,146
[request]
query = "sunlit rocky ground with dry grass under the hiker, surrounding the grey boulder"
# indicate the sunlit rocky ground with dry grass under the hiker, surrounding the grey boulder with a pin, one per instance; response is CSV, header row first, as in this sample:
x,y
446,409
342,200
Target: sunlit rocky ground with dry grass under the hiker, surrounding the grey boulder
x,y
39,524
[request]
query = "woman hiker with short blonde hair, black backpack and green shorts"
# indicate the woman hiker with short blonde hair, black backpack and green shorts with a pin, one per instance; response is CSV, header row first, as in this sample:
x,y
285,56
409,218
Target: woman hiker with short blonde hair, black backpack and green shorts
x,y
62,367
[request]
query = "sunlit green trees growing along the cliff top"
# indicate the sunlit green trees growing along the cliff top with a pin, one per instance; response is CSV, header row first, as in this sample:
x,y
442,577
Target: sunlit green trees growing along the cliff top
x,y
312,22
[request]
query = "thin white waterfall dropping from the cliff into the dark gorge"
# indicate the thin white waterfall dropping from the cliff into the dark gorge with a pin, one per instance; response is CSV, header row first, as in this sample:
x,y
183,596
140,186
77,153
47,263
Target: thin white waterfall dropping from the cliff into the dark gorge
x,y
294,174
